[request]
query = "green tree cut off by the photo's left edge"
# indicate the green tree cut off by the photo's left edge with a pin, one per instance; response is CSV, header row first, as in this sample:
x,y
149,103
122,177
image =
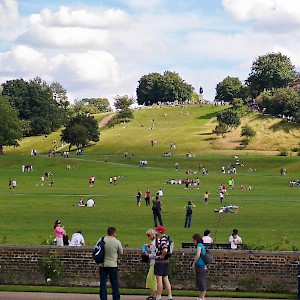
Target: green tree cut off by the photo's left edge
x,y
10,125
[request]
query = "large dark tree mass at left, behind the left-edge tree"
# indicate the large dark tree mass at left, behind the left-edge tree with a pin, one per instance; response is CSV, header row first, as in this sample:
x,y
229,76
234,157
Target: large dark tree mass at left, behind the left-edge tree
x,y
41,107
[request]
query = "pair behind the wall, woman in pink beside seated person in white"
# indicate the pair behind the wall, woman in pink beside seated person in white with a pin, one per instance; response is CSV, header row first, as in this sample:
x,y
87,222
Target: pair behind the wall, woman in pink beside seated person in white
x,y
62,239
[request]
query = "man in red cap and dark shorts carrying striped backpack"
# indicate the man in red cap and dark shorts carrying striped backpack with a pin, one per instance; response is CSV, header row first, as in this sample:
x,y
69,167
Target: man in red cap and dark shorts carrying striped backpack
x,y
161,267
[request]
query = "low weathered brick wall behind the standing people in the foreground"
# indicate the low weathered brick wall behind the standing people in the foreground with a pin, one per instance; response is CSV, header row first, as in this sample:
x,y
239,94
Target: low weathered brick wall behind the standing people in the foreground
x,y
231,270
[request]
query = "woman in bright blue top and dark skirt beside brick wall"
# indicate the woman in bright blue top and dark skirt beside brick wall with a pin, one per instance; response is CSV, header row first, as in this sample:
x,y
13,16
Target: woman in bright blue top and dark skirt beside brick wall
x,y
199,266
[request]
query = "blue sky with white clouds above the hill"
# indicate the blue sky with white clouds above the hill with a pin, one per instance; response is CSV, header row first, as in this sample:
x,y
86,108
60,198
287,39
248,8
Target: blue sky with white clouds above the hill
x,y
101,48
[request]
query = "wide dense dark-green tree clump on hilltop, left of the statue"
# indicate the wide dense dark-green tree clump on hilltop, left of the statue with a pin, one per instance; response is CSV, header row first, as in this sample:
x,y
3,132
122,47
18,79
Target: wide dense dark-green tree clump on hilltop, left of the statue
x,y
154,88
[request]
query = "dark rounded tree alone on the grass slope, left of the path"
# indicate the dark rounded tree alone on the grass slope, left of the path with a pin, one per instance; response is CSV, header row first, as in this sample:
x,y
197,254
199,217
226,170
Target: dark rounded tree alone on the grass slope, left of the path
x,y
80,130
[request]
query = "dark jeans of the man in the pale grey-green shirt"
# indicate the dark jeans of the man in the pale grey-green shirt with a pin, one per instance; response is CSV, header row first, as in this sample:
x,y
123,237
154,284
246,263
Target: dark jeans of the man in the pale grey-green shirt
x,y
114,281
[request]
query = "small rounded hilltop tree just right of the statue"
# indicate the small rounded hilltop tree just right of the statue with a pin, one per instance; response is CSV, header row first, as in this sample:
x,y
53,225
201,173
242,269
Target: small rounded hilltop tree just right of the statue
x,y
229,88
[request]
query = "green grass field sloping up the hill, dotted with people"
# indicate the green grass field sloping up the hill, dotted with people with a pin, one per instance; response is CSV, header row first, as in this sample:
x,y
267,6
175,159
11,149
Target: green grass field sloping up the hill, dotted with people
x,y
269,212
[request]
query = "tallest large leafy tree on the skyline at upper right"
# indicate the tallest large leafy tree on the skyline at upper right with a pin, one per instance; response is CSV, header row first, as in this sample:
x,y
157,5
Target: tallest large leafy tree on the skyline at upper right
x,y
270,71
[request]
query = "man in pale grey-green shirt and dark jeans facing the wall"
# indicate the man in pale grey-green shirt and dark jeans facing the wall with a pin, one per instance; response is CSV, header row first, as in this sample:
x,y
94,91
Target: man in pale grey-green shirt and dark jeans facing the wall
x,y
109,268
